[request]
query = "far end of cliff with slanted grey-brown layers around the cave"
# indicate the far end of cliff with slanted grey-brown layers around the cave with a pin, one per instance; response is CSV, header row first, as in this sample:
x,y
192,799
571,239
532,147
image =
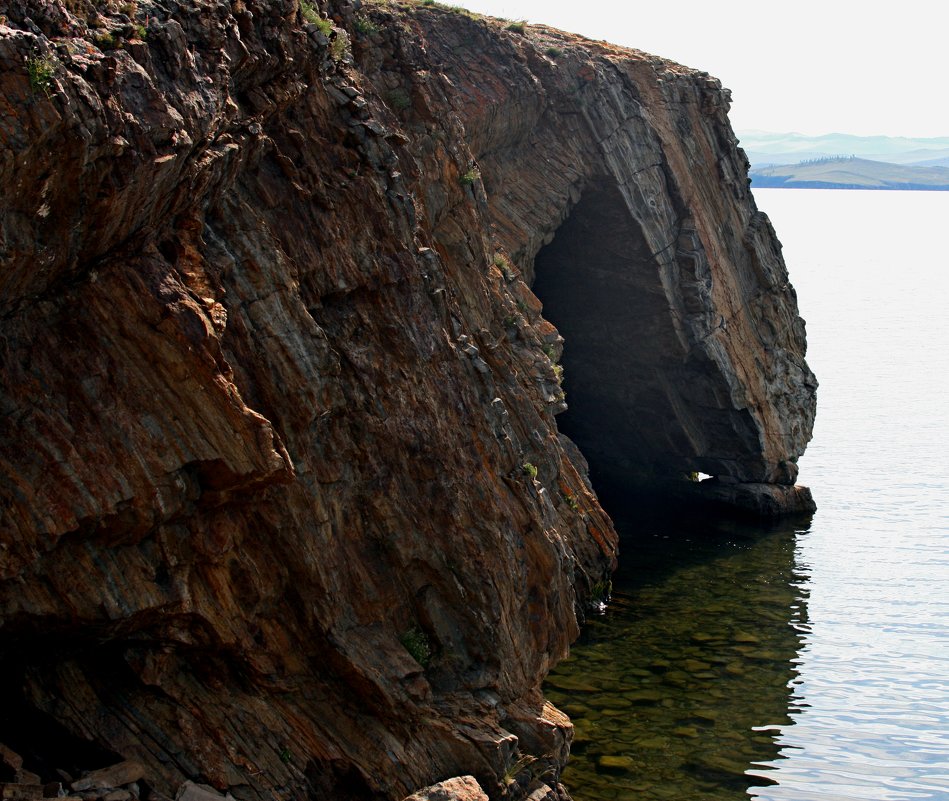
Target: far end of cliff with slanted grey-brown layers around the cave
x,y
684,350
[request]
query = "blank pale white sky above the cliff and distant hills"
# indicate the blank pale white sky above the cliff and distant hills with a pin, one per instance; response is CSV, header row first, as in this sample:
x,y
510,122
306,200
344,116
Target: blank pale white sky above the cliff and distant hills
x,y
812,67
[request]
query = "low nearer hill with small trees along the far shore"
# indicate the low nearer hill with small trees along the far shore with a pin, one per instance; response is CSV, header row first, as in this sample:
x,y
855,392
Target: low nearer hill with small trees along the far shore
x,y
850,173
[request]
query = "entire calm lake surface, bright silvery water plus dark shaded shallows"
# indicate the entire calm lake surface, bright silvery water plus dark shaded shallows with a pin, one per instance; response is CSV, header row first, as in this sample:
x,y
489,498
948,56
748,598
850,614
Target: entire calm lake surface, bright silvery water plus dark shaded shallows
x,y
805,662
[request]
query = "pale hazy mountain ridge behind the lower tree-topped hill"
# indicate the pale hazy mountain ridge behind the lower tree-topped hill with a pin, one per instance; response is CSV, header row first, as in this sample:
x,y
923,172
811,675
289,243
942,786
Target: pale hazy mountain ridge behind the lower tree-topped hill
x,y
764,148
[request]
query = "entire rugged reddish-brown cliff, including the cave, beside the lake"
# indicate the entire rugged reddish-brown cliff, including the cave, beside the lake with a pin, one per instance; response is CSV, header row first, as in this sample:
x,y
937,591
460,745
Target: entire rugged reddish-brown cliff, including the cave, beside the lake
x,y
284,506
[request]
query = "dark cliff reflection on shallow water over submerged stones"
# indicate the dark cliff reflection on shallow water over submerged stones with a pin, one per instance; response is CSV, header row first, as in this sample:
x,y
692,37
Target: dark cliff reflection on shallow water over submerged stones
x,y
680,688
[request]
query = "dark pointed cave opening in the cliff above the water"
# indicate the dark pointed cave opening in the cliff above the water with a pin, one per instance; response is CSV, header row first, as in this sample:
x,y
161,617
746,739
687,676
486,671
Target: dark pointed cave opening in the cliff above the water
x,y
600,285
